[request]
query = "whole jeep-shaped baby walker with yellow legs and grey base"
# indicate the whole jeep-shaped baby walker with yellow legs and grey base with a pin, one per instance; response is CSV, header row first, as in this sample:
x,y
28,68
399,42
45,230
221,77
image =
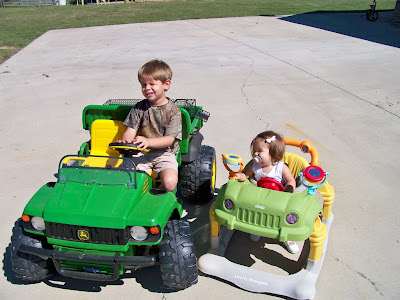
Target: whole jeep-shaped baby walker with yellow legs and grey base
x,y
264,210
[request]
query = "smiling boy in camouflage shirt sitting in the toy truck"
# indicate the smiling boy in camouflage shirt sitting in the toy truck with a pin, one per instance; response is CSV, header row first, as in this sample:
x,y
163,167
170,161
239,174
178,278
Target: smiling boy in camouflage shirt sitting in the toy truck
x,y
155,123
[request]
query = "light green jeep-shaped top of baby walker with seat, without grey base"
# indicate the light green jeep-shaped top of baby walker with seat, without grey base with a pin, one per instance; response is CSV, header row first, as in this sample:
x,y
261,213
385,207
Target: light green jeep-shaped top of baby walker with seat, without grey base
x,y
268,211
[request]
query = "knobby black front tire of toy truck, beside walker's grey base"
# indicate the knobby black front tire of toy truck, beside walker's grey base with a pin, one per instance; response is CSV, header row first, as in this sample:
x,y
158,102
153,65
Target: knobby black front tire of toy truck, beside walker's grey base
x,y
177,257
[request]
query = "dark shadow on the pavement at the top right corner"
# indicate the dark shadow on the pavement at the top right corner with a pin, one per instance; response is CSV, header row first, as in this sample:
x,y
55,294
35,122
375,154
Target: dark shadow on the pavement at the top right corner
x,y
354,24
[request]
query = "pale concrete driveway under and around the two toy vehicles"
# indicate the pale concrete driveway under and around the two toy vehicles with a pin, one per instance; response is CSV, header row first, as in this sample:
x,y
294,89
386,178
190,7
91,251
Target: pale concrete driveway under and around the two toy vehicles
x,y
332,79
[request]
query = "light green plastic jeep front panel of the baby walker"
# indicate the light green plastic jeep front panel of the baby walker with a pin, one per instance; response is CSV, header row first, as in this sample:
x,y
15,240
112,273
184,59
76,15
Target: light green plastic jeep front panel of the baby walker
x,y
263,212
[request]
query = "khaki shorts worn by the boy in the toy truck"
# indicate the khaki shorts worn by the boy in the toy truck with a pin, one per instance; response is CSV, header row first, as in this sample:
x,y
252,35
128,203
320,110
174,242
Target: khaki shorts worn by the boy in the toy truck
x,y
155,162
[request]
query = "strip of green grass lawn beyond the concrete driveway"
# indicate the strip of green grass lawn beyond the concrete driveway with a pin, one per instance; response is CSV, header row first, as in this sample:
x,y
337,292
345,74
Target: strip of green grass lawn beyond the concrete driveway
x,y
19,26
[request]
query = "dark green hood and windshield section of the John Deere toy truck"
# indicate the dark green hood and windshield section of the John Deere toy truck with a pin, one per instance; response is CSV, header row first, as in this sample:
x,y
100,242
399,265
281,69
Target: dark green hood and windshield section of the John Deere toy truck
x,y
109,201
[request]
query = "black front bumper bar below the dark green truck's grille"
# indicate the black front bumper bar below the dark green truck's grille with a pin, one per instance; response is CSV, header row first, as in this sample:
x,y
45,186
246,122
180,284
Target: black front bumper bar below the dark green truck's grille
x,y
116,261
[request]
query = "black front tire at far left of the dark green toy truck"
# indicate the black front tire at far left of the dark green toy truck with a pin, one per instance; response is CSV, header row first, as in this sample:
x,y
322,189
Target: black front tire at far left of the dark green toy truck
x,y
27,266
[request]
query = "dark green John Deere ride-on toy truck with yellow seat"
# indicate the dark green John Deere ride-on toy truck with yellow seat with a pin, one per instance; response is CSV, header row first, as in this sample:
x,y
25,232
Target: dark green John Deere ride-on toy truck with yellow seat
x,y
103,217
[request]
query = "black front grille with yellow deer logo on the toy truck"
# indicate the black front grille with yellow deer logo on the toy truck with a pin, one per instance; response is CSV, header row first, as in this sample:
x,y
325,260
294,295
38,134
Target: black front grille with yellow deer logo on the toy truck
x,y
96,235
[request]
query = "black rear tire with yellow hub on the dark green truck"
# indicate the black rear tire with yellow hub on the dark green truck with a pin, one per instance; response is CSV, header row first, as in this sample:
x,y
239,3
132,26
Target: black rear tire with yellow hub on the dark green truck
x,y
197,178
